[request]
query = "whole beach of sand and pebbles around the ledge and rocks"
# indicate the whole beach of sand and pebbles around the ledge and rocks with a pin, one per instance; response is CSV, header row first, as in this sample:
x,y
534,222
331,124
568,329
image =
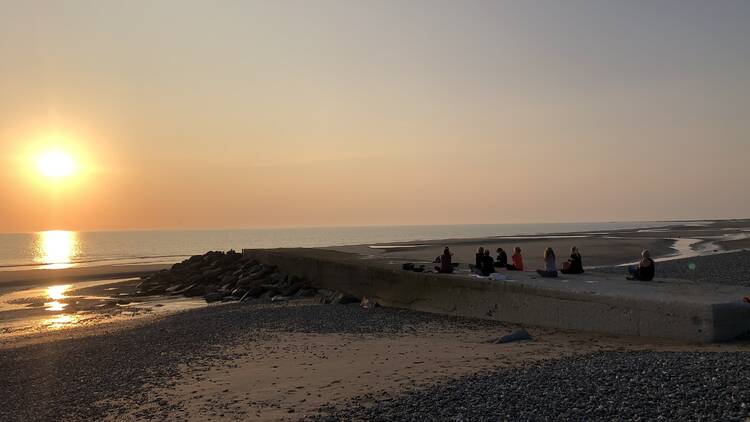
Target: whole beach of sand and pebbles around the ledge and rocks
x,y
300,360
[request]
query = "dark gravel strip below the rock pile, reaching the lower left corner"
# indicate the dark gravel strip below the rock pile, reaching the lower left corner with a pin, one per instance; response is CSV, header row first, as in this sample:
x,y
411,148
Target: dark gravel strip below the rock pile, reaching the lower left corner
x,y
69,379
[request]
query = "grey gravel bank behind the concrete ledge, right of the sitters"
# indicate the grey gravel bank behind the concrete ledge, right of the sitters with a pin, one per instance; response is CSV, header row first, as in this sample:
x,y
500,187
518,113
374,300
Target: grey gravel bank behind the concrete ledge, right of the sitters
x,y
726,268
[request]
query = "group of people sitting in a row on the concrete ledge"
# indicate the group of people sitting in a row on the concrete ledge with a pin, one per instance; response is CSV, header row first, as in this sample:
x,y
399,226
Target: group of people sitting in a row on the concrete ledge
x,y
485,264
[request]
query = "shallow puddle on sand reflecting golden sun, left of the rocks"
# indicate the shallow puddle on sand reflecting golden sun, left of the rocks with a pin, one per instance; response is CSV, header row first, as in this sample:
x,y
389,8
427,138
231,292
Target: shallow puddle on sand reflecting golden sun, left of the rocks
x,y
77,304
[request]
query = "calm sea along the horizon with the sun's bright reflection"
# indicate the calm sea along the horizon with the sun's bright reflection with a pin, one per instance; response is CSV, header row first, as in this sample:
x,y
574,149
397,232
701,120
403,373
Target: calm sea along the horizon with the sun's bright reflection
x,y
59,249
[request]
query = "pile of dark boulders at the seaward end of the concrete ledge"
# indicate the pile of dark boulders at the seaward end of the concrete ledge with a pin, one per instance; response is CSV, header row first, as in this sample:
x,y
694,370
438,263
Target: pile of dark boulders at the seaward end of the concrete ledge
x,y
230,276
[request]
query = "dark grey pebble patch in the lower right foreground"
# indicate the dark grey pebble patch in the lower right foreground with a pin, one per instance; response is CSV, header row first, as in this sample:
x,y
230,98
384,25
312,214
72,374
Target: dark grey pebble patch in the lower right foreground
x,y
601,386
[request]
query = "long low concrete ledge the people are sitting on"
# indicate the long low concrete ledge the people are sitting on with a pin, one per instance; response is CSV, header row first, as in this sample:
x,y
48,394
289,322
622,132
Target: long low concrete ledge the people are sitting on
x,y
674,309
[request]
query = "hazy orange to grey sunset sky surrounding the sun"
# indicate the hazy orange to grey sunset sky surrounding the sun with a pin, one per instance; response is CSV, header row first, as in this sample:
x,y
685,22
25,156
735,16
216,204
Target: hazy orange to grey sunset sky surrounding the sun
x,y
205,114
